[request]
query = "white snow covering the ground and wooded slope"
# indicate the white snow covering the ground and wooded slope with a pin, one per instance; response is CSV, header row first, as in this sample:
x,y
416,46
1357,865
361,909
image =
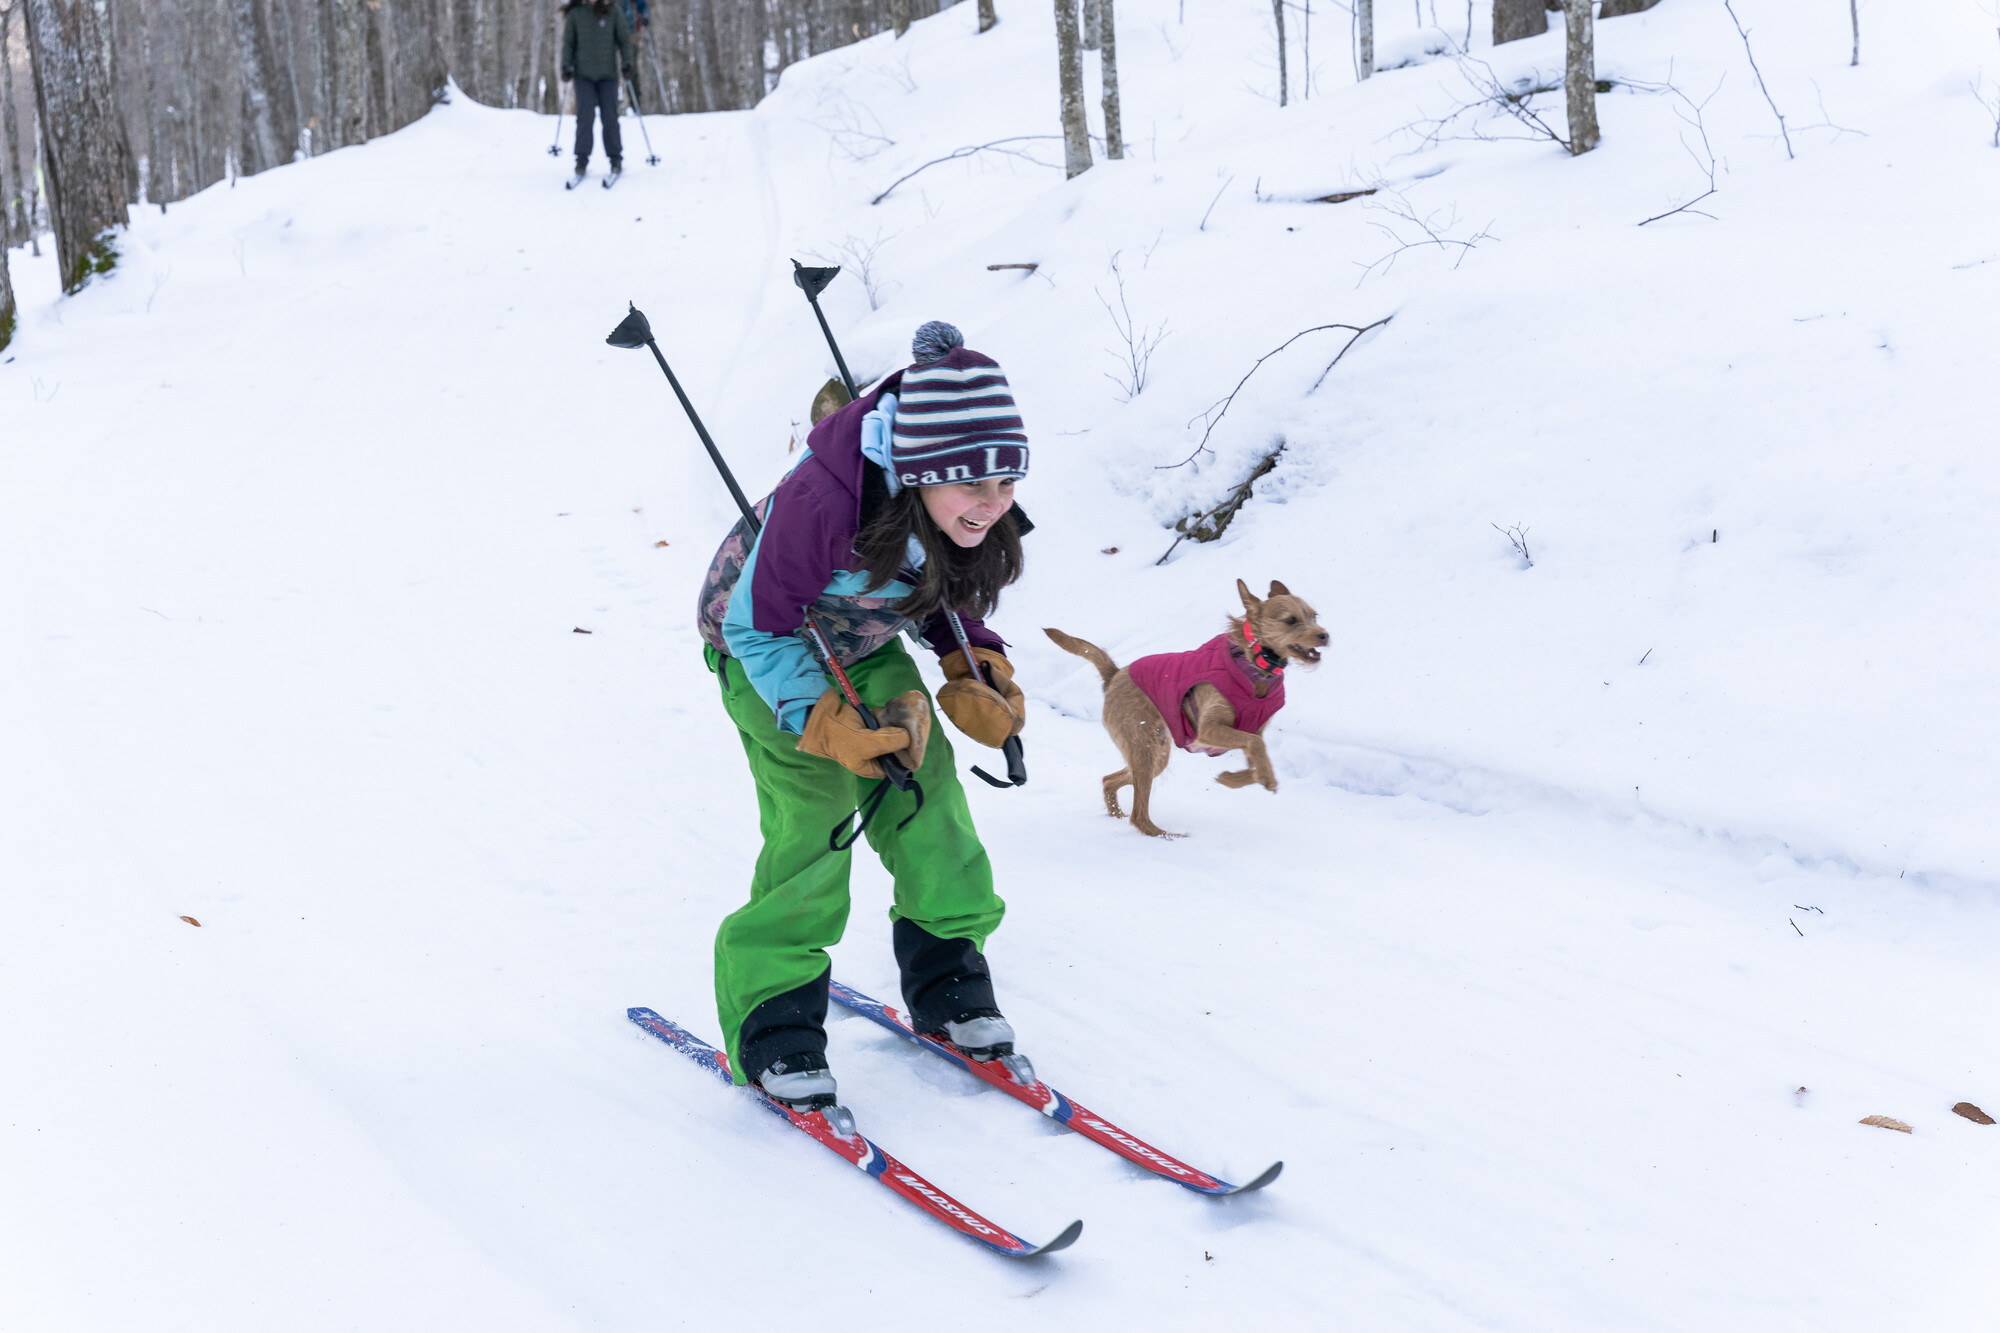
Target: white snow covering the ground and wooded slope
x,y
1599,900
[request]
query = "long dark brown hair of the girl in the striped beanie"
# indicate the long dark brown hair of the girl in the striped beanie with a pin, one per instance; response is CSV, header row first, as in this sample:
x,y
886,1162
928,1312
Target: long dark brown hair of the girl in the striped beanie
x,y
965,579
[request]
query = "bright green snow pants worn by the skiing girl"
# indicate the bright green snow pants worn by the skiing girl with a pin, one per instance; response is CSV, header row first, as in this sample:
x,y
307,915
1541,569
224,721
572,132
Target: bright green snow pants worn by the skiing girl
x,y
799,892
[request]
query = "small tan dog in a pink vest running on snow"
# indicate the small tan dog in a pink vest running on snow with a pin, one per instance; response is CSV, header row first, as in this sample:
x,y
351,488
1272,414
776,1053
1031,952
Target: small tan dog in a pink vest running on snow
x,y
1213,700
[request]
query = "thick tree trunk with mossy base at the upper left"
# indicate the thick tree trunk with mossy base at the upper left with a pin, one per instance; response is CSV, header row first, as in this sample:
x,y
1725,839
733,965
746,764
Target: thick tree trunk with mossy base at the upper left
x,y
87,161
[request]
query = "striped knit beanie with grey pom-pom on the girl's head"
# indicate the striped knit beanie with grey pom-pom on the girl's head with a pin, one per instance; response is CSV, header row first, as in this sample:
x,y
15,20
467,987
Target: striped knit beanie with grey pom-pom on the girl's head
x,y
955,415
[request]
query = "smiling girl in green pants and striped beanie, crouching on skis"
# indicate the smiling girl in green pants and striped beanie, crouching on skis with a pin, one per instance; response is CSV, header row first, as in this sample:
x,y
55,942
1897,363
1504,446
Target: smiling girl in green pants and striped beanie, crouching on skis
x,y
899,517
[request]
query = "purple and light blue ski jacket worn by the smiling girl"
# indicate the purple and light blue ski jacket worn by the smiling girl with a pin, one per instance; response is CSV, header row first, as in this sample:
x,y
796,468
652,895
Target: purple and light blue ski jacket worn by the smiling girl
x,y
757,595
